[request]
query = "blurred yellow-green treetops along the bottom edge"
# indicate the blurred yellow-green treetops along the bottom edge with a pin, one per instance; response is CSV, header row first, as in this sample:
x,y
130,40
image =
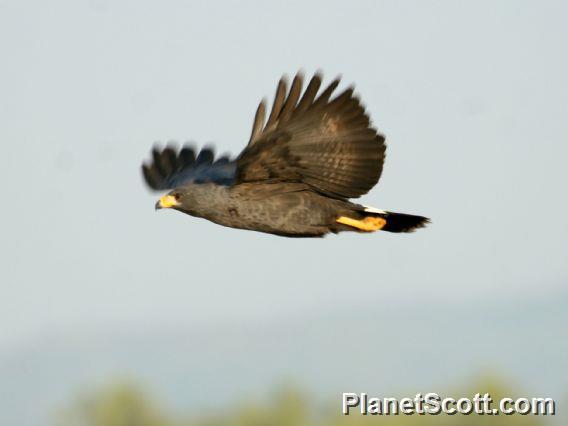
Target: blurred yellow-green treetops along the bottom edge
x,y
127,404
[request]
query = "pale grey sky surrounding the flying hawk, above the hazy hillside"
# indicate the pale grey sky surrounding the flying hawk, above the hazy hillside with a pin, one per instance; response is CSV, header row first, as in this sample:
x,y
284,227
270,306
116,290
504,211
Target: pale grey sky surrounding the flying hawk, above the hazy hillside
x,y
472,97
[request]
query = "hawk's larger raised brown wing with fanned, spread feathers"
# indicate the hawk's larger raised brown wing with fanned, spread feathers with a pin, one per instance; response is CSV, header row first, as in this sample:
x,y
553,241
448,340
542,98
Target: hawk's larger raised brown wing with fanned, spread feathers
x,y
327,143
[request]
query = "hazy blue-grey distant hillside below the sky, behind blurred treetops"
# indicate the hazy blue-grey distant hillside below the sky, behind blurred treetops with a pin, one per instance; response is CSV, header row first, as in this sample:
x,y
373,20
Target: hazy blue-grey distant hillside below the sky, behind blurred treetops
x,y
409,350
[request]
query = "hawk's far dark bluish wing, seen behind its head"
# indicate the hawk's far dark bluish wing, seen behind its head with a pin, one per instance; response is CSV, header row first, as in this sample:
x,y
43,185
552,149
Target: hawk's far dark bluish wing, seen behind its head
x,y
171,169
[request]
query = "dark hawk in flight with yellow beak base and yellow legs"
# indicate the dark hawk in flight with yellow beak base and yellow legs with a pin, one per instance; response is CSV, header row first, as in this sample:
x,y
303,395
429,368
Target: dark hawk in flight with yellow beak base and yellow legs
x,y
296,175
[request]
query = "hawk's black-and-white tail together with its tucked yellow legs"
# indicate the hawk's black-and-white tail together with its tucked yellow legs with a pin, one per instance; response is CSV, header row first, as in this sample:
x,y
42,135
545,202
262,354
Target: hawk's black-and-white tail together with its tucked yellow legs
x,y
371,219
